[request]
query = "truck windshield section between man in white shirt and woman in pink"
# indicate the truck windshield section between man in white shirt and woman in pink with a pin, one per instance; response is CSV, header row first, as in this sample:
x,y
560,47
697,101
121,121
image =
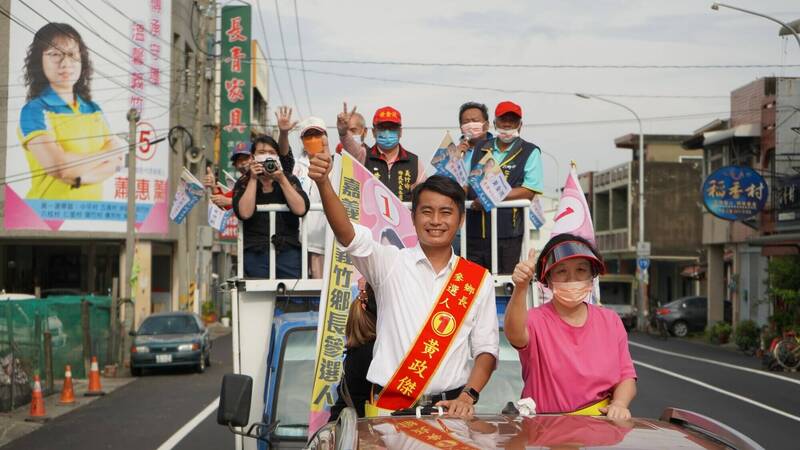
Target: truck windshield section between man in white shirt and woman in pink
x,y
505,385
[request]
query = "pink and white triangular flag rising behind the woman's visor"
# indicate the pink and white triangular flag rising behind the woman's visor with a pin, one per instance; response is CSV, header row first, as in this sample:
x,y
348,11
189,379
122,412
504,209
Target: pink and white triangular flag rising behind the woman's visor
x,y
573,214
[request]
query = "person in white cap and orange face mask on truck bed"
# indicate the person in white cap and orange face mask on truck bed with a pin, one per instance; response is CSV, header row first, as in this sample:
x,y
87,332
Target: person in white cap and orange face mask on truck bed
x,y
315,139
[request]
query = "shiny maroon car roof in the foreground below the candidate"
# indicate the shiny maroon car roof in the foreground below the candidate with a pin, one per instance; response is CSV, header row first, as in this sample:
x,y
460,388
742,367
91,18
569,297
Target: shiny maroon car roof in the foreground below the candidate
x,y
503,431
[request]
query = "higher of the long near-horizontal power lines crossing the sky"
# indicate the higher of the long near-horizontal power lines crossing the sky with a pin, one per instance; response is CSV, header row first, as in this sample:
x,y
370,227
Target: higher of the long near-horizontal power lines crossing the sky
x,y
546,66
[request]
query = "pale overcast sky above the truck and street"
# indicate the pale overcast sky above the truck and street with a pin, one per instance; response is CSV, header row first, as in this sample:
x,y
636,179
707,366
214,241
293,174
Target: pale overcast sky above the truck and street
x,y
570,32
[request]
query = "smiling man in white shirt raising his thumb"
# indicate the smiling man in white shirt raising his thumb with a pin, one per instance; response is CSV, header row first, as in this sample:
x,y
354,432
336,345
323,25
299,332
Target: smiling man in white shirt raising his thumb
x,y
406,283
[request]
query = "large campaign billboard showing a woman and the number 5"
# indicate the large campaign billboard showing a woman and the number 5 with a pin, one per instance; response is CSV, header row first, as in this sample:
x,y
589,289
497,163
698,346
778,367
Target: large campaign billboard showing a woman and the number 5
x,y
75,70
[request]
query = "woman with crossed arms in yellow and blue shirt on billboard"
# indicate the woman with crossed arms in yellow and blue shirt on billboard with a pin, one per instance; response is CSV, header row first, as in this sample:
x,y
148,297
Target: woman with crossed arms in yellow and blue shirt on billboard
x,y
60,128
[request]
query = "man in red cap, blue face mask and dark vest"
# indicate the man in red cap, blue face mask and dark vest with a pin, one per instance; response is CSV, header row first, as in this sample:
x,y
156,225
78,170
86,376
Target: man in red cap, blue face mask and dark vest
x,y
396,167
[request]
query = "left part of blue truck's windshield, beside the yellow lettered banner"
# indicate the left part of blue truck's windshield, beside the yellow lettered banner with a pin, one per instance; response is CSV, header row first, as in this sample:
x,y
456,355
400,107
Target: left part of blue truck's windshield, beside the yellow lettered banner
x,y
295,384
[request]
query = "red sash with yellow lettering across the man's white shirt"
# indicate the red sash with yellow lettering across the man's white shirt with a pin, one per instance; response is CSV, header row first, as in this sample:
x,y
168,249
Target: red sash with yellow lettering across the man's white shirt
x,y
437,333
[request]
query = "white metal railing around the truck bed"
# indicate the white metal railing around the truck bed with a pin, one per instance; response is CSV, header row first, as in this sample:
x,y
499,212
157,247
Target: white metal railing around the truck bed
x,y
274,209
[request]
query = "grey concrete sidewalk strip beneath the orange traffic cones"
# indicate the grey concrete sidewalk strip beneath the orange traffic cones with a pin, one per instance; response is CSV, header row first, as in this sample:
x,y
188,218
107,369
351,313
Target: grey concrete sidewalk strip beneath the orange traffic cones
x,y
13,424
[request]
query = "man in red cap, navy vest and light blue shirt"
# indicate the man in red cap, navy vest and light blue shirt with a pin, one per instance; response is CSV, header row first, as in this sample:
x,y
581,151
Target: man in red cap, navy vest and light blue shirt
x,y
520,162
